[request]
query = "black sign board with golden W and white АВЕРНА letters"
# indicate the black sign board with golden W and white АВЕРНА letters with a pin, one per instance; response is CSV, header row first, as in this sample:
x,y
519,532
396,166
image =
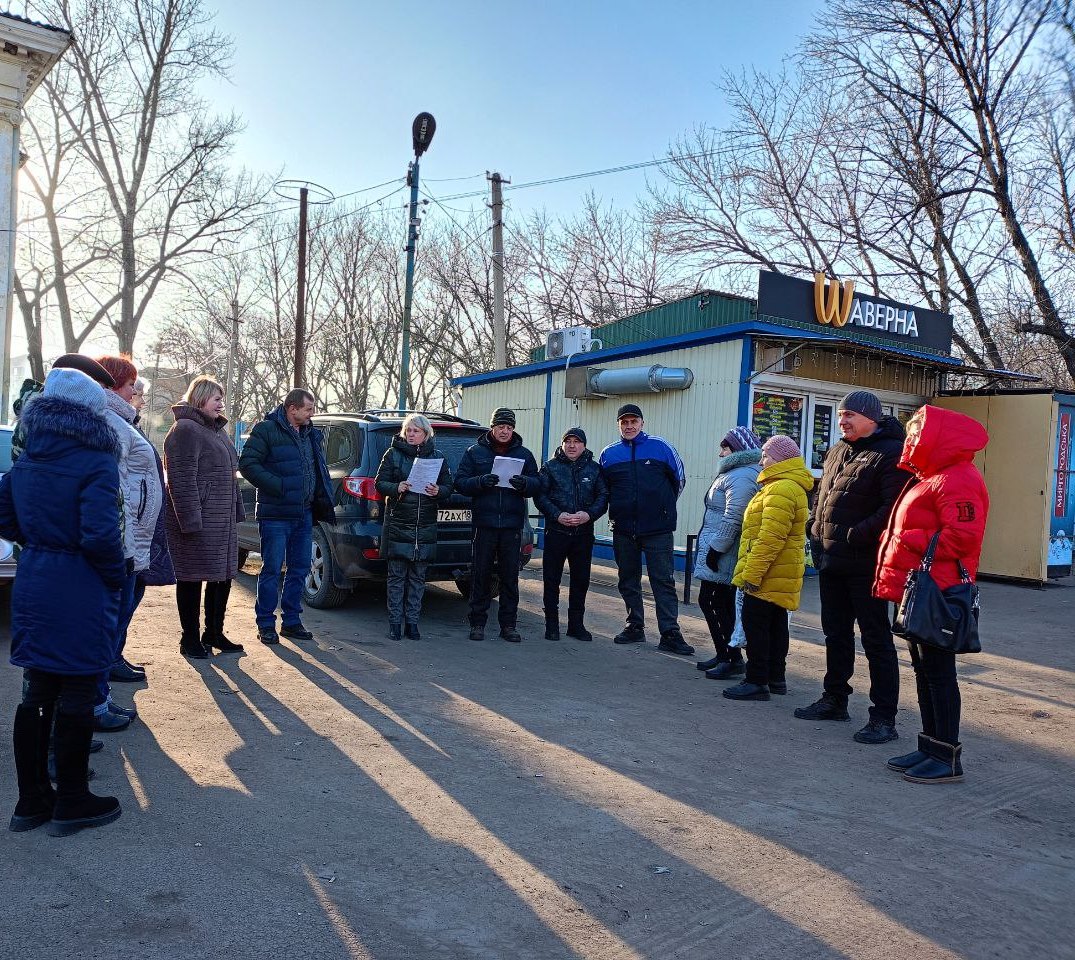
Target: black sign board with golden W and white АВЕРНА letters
x,y
790,298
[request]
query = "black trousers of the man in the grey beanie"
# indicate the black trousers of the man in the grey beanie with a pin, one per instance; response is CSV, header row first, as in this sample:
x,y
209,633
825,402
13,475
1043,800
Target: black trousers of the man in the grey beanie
x,y
847,599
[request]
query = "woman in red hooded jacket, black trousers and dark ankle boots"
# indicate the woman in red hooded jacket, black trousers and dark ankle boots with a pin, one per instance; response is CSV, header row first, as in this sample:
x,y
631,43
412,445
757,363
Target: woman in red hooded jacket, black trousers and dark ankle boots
x,y
948,495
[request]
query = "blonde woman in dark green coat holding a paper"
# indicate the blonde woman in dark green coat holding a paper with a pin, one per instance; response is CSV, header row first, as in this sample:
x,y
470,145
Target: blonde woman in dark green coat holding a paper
x,y
414,479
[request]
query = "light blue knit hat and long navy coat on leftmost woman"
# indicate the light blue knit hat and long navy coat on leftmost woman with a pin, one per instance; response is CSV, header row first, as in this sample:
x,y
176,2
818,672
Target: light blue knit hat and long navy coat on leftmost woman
x,y
62,503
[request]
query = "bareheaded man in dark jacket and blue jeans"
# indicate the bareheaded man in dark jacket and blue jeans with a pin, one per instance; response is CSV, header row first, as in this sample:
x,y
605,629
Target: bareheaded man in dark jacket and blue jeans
x,y
283,458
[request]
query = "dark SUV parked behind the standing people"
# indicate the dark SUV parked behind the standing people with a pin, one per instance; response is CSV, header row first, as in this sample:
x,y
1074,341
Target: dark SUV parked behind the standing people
x,y
349,551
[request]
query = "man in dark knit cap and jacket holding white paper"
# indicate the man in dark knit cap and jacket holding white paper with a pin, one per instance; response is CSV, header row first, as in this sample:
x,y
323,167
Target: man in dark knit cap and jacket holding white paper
x,y
499,514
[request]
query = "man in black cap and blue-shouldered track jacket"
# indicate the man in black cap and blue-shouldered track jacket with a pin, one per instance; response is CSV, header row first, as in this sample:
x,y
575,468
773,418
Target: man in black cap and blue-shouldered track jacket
x,y
646,479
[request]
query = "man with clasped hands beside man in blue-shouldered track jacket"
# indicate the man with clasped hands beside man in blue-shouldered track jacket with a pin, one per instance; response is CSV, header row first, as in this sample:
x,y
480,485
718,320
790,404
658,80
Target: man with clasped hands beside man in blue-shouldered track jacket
x,y
572,497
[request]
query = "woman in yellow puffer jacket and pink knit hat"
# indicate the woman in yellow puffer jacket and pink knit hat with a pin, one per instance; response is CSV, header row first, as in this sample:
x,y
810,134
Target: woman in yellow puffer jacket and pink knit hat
x,y
771,566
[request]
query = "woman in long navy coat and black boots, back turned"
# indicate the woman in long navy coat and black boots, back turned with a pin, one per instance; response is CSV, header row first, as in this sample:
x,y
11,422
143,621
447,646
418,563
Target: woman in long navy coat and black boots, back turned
x,y
62,503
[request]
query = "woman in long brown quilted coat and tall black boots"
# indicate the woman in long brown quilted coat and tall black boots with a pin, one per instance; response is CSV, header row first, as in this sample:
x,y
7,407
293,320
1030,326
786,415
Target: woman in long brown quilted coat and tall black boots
x,y
204,508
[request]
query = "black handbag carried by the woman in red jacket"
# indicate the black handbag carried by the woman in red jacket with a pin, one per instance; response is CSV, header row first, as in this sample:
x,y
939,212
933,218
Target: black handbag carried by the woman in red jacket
x,y
947,620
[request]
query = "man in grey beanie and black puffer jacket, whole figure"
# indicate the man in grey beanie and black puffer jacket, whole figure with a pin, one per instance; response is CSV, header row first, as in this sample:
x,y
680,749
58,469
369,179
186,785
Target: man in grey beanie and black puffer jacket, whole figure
x,y
861,482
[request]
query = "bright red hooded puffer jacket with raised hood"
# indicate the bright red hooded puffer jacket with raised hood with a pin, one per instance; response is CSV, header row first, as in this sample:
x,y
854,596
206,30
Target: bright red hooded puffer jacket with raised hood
x,y
949,495
